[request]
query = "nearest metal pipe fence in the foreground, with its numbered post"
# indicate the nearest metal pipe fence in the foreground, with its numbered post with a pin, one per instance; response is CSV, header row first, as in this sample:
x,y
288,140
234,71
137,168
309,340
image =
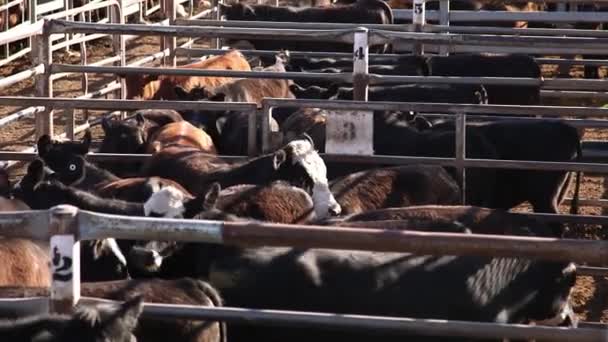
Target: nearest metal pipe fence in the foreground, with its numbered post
x,y
64,226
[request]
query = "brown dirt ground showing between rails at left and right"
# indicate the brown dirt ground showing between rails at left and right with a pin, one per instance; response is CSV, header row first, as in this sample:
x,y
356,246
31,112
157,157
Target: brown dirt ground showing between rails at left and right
x,y
591,293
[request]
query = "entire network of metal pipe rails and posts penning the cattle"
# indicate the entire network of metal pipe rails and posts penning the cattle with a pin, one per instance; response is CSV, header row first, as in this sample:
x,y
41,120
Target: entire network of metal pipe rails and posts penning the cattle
x,y
65,226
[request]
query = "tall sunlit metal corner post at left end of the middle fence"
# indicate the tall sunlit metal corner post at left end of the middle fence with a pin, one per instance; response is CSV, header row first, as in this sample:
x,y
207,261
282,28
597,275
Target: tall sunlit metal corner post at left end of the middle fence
x,y
41,50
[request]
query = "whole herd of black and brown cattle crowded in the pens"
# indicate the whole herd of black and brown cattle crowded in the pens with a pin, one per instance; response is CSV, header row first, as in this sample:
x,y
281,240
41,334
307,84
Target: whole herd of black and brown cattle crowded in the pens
x,y
186,177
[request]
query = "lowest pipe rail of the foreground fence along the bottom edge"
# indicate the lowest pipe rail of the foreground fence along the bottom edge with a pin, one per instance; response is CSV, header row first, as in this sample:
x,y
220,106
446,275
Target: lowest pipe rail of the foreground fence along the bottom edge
x,y
378,324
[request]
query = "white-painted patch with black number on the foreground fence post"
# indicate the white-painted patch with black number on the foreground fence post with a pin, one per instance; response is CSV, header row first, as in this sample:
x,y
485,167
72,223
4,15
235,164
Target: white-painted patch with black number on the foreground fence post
x,y
65,267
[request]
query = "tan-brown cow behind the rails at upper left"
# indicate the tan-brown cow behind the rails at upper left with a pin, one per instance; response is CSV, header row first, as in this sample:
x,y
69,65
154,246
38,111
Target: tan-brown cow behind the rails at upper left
x,y
152,87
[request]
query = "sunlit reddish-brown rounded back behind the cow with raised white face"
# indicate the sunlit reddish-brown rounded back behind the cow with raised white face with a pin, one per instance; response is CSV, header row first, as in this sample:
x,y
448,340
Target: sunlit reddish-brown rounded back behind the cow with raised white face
x,y
180,134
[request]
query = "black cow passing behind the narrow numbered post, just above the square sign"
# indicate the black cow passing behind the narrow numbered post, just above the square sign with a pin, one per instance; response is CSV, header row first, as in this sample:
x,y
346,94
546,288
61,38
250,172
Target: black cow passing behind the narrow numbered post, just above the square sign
x,y
440,93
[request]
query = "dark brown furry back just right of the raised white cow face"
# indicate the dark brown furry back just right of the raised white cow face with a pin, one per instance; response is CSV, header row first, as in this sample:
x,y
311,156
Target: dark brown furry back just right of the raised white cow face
x,y
395,187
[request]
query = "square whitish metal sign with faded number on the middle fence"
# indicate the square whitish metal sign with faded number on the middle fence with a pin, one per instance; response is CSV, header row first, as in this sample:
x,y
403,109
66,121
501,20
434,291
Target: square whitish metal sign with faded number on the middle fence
x,y
350,132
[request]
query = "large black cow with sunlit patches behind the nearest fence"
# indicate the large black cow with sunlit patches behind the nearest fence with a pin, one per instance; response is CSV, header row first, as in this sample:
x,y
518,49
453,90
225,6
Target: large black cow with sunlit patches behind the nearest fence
x,y
502,290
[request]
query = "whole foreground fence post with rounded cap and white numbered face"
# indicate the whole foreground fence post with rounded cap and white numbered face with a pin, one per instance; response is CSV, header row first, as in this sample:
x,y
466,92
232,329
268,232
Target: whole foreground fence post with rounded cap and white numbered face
x,y
65,259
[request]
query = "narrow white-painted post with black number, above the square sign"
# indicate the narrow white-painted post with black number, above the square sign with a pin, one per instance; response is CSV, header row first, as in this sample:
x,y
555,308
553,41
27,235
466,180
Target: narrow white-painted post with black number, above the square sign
x,y
360,64
